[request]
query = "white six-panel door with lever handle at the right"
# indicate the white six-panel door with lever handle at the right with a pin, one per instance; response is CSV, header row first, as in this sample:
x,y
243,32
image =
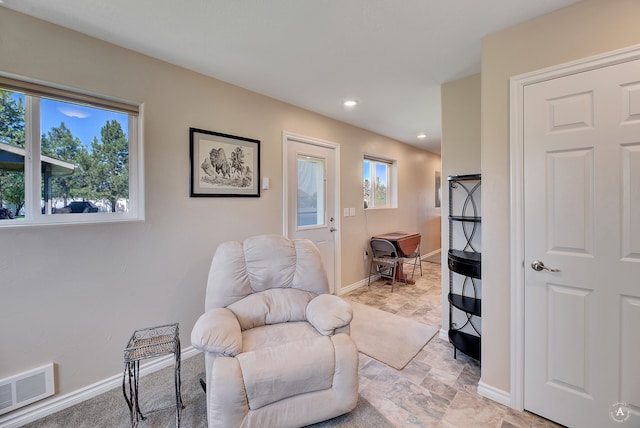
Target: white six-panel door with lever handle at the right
x,y
582,217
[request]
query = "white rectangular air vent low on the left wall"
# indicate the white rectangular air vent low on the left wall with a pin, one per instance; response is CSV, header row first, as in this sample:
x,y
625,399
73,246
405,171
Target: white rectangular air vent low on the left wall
x,y
26,388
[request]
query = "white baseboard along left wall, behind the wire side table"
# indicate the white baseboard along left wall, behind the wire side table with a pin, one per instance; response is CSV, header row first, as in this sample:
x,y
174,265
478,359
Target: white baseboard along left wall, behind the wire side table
x,y
41,409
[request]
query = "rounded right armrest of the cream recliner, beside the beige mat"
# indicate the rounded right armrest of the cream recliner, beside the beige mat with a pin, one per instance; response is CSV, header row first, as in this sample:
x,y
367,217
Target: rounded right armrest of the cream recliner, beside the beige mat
x,y
327,313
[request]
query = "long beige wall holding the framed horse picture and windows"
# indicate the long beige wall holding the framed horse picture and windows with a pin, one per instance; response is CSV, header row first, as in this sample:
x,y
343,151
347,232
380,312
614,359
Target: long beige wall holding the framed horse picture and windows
x,y
74,294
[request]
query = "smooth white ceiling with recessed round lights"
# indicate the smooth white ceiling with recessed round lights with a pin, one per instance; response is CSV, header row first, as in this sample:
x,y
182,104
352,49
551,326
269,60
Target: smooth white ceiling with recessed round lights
x,y
390,55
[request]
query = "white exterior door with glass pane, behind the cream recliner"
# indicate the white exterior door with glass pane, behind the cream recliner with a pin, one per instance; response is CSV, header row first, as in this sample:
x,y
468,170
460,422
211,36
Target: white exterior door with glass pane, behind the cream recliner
x,y
311,197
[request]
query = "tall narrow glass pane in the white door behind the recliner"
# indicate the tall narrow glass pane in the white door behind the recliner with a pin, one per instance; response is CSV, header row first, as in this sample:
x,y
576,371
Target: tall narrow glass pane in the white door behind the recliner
x,y
311,192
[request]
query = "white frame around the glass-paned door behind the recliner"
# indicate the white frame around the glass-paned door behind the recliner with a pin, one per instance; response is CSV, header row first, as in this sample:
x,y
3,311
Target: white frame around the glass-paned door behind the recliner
x,y
286,136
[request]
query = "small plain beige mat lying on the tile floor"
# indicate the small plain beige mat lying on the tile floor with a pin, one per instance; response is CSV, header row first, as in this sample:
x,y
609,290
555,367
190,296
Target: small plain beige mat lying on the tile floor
x,y
386,337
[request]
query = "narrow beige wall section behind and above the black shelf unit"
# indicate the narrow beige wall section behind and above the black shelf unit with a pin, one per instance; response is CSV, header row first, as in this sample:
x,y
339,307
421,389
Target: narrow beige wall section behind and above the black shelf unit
x,y
460,151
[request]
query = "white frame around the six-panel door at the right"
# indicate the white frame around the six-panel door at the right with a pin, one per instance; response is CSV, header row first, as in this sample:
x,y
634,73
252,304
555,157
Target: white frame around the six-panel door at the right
x,y
516,144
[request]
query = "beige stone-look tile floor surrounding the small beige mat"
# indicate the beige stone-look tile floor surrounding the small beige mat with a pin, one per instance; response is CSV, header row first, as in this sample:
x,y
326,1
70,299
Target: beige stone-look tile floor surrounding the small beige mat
x,y
434,389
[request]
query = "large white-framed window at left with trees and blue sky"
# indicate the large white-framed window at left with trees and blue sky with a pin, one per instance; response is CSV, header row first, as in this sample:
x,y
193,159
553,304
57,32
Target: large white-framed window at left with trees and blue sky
x,y
66,157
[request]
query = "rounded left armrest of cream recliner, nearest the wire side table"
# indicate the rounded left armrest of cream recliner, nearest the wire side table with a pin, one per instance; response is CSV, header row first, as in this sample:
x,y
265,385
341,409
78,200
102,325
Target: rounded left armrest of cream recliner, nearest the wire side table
x,y
217,331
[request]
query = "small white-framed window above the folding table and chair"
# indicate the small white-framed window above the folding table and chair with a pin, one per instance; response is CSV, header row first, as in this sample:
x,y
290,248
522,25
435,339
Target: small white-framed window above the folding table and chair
x,y
379,182
